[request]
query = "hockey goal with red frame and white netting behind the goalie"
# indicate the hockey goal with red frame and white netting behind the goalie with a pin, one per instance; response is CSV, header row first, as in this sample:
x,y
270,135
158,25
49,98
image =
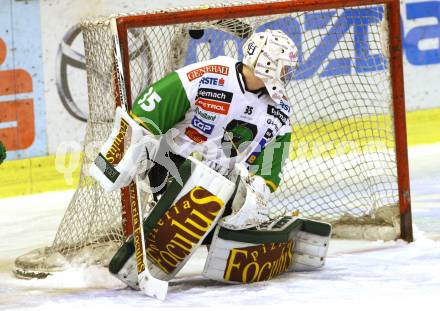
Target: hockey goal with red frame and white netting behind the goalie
x,y
347,164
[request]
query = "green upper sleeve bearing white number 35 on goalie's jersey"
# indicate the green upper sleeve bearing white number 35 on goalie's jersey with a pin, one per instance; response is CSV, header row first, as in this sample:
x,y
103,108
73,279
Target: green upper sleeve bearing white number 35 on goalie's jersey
x,y
160,106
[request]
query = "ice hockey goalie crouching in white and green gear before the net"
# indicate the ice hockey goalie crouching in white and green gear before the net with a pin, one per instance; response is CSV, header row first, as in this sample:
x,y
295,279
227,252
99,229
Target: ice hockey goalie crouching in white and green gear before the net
x,y
236,116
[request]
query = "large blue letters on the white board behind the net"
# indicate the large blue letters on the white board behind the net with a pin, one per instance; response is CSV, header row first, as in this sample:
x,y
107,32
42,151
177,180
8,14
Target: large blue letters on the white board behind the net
x,y
355,20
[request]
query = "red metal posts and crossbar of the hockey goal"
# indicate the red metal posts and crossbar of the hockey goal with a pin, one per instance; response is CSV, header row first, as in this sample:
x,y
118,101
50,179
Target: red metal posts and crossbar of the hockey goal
x,y
124,23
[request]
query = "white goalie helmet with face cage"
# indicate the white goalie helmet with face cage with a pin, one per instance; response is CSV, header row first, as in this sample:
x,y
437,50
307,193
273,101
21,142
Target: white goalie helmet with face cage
x,y
272,55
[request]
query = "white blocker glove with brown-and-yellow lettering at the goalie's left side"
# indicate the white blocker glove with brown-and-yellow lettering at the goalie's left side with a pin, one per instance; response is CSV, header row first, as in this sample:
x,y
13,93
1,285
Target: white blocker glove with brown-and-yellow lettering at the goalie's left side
x,y
124,153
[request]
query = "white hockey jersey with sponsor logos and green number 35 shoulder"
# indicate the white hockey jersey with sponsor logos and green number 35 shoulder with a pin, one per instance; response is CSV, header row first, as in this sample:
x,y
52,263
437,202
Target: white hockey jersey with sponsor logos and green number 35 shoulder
x,y
205,107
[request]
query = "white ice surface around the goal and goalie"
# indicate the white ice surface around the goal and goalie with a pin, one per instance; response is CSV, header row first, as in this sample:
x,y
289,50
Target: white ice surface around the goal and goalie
x,y
358,275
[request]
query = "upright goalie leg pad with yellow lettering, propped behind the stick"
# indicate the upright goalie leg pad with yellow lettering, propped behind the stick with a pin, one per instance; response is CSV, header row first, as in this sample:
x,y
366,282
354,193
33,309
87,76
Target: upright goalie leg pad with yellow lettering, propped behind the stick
x,y
179,222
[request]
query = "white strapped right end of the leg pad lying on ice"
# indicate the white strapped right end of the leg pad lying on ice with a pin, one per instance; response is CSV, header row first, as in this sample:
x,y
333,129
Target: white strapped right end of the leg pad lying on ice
x,y
311,246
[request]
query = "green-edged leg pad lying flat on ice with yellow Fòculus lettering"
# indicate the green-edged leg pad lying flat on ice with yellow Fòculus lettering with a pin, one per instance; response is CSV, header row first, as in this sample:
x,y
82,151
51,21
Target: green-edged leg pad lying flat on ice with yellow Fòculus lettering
x,y
258,254
